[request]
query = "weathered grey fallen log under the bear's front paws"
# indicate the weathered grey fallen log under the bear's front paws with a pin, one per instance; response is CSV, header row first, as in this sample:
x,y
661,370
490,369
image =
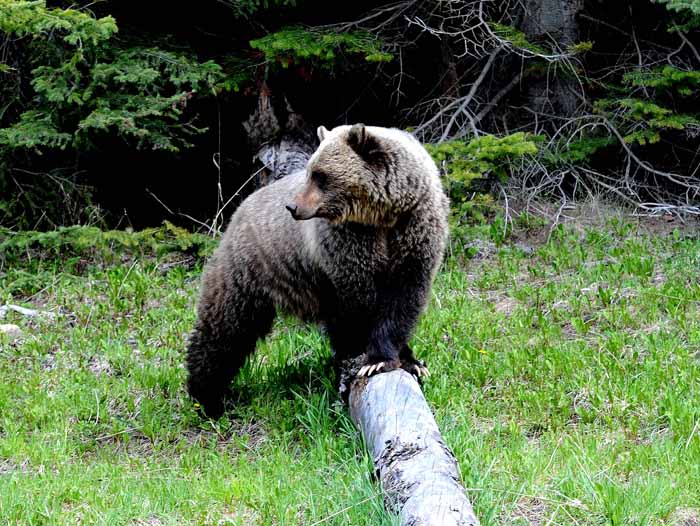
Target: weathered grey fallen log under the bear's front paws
x,y
418,472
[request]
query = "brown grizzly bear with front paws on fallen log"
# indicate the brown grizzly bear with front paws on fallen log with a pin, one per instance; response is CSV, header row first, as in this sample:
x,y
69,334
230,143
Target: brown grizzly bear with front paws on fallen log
x,y
356,250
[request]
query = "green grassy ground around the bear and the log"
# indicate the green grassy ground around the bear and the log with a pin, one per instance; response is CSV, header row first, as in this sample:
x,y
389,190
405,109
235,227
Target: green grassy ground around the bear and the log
x,y
566,378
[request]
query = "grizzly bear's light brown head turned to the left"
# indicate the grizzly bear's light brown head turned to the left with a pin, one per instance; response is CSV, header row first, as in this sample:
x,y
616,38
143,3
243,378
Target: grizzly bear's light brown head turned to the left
x,y
364,174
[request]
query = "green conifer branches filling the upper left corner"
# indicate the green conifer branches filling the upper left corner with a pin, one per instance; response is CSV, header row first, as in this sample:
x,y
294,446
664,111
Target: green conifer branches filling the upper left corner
x,y
85,82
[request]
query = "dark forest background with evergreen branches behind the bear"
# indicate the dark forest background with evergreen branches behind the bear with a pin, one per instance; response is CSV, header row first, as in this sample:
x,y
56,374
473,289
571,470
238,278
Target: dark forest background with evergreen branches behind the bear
x,y
123,113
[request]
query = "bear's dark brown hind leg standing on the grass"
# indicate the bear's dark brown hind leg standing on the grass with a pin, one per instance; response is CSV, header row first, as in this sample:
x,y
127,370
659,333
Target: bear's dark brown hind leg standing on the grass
x,y
229,324
